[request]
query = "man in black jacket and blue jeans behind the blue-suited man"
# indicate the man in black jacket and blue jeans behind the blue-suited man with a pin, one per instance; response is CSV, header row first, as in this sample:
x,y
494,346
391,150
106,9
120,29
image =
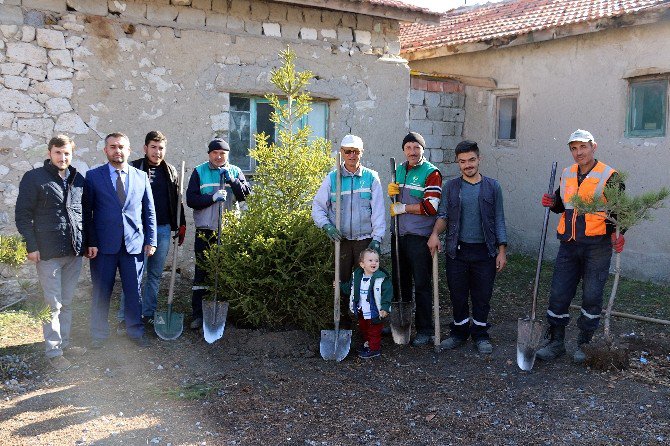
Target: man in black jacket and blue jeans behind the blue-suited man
x,y
165,190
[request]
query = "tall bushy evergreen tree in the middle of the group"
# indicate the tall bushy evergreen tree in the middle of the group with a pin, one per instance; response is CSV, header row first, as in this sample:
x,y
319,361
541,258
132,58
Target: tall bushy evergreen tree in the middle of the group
x,y
274,266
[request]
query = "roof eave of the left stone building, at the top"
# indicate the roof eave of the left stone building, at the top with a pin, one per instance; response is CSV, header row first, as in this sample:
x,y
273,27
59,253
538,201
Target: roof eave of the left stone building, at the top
x,y
359,7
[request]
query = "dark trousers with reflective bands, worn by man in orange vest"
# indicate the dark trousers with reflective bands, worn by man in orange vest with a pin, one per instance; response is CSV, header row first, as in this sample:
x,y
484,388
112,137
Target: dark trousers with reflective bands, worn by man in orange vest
x,y
589,263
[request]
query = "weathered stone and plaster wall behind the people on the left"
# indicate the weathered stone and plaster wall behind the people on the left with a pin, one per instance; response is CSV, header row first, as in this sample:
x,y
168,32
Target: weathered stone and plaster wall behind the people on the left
x,y
87,68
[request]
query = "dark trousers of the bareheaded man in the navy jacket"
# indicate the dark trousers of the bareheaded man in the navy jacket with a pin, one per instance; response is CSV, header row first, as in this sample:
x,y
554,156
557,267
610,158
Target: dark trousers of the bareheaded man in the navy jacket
x,y
470,276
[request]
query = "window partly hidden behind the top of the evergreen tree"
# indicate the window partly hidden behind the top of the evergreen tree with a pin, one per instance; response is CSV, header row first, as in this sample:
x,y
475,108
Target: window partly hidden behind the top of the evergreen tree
x,y
251,115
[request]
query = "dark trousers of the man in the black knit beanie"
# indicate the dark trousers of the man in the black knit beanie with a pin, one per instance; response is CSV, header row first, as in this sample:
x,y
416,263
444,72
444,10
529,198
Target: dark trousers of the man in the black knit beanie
x,y
416,265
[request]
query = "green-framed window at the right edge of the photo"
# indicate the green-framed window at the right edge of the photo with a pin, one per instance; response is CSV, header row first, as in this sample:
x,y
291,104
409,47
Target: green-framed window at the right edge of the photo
x,y
647,105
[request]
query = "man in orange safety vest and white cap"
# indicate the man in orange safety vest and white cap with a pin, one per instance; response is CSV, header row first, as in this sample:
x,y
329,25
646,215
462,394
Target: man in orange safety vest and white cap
x,y
585,250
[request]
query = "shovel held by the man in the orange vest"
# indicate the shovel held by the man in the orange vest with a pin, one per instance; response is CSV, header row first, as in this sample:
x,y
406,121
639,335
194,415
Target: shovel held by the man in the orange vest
x,y
530,329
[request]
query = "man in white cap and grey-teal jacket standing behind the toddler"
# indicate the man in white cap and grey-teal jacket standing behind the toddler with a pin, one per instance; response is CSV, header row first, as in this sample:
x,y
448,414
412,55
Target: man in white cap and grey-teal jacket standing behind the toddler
x,y
362,203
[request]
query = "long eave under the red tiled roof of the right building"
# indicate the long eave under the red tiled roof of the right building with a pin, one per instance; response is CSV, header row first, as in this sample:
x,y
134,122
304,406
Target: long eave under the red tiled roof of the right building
x,y
647,16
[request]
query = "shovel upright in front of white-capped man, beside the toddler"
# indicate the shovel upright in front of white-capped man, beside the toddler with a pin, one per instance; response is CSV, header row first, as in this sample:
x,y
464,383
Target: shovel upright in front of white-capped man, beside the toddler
x,y
335,344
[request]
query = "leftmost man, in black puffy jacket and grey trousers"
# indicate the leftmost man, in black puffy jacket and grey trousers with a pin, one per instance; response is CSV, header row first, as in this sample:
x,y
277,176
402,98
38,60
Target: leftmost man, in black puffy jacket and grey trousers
x,y
49,217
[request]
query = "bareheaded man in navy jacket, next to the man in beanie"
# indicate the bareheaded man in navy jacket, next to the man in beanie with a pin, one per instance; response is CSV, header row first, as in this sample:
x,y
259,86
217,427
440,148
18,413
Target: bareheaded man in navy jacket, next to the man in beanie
x,y
472,212
